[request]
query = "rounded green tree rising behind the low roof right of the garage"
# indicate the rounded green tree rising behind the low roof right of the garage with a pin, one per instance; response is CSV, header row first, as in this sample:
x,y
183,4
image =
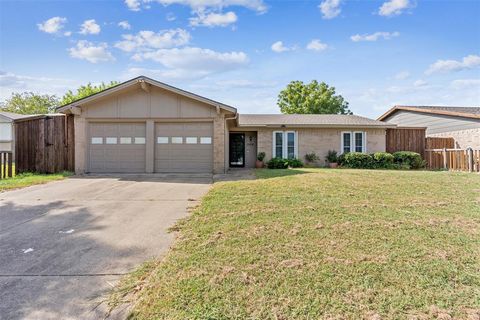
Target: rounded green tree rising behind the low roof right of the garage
x,y
311,98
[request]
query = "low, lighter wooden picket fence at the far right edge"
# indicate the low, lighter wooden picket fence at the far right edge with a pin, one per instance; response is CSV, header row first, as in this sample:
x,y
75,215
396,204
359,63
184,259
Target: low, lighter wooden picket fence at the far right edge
x,y
453,159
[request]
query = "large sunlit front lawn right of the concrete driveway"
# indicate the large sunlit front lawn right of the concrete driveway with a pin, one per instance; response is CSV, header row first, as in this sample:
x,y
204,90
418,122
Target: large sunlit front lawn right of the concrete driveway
x,y
321,244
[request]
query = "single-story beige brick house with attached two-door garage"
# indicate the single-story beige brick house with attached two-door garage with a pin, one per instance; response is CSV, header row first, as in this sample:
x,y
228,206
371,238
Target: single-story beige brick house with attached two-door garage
x,y
145,126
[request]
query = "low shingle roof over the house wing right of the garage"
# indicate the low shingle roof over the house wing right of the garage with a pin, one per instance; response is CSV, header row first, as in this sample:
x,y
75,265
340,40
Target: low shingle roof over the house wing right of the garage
x,y
310,120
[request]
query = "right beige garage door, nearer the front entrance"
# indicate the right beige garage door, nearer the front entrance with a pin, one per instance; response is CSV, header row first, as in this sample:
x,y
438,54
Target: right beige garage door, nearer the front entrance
x,y
184,147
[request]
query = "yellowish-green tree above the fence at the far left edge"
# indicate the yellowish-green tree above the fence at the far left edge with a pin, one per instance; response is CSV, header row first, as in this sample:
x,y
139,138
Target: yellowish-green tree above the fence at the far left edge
x,y
30,103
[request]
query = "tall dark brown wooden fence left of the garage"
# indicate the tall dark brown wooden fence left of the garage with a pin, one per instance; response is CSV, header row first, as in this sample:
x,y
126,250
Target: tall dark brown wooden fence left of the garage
x,y
44,144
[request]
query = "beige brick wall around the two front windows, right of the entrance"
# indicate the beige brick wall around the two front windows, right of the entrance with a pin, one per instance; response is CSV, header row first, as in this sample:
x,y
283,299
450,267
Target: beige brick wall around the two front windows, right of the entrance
x,y
320,140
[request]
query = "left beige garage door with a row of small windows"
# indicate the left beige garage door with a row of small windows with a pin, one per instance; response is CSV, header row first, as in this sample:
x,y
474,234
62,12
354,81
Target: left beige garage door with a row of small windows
x,y
116,147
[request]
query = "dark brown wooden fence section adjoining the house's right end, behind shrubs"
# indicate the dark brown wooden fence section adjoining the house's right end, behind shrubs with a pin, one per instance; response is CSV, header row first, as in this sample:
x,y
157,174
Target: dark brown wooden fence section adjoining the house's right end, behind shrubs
x,y
405,139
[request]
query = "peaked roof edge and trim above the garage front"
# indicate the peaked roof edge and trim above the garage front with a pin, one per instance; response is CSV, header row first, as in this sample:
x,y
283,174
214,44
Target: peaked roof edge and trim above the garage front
x,y
142,80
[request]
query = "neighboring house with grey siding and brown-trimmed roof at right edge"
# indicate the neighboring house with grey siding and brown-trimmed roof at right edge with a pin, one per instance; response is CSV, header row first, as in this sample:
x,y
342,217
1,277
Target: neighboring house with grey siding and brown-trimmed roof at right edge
x,y
460,123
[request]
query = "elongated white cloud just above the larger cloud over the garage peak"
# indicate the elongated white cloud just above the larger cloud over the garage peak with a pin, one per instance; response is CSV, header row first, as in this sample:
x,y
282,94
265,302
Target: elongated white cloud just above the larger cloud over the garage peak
x,y
150,40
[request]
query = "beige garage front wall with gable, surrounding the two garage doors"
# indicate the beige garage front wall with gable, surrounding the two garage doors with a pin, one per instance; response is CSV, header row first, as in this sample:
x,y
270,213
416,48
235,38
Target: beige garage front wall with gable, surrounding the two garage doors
x,y
137,105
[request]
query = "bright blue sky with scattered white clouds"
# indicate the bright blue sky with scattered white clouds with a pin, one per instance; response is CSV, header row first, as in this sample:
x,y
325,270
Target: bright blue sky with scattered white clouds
x,y
243,52
